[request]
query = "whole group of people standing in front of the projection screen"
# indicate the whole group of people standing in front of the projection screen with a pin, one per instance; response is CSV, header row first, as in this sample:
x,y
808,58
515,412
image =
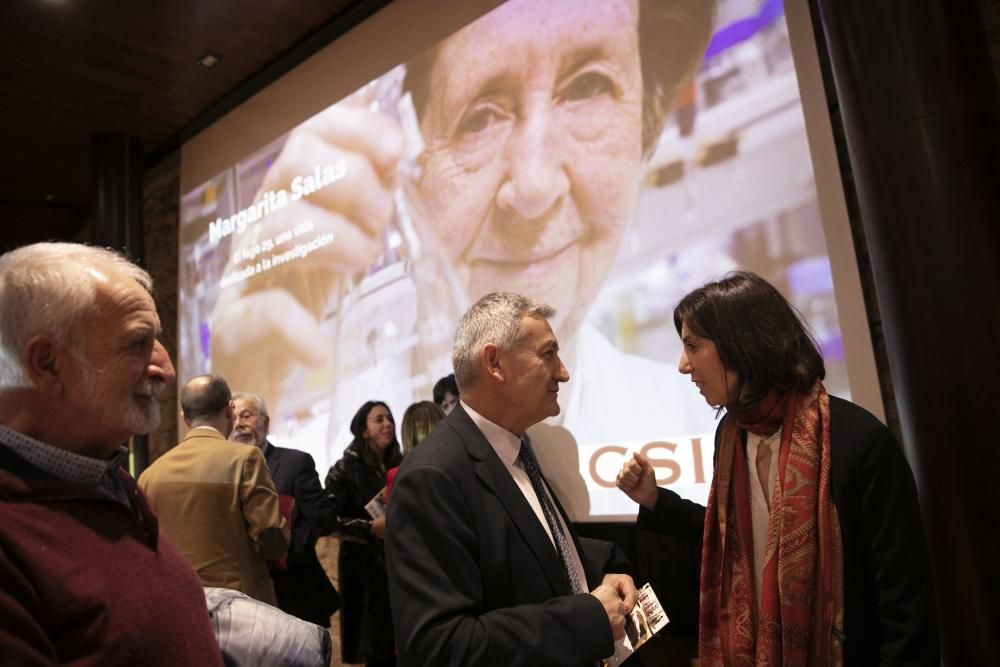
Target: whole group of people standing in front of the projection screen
x,y
812,545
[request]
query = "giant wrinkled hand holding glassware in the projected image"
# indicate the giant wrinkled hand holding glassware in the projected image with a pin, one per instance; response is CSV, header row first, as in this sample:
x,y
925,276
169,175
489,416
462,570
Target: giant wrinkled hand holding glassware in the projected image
x,y
263,325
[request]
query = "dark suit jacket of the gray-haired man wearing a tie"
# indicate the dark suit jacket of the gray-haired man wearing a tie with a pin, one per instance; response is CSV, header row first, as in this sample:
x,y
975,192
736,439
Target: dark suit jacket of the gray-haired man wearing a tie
x,y
473,576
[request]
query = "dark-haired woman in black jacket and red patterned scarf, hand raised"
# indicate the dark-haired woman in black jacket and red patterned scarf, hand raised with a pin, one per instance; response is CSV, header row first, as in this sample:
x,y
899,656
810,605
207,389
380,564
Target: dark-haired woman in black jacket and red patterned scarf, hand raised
x,y
813,551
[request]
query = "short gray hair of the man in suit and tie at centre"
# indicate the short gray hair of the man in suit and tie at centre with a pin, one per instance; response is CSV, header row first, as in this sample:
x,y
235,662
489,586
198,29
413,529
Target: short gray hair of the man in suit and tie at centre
x,y
495,318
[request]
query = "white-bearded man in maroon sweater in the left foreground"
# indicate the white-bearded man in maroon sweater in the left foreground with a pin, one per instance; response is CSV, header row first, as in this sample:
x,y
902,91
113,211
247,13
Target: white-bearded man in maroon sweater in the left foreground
x,y
86,576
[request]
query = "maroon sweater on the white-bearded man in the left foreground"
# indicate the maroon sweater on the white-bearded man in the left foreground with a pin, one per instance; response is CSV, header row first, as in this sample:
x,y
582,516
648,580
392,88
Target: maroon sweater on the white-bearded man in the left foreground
x,y
85,580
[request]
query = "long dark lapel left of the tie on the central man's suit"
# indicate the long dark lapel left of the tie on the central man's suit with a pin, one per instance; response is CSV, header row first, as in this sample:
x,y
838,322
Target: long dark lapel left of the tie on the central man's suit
x,y
495,477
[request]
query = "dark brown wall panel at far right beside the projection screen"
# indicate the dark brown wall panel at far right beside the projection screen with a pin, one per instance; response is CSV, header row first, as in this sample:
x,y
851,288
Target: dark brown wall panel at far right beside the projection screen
x,y
916,93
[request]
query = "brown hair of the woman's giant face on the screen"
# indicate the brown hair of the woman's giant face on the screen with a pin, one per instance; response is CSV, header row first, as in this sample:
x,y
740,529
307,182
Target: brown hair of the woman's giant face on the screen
x,y
673,35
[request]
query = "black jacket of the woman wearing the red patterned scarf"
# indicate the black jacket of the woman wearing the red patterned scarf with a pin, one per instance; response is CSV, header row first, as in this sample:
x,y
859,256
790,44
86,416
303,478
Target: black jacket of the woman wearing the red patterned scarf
x,y
889,611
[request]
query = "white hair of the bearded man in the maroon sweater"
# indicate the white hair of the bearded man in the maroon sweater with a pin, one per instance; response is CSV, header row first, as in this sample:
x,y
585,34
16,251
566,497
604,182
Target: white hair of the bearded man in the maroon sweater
x,y
49,288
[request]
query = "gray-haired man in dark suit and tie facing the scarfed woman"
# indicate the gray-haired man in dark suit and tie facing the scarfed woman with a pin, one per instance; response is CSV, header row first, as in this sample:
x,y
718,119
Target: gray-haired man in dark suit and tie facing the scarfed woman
x,y
484,567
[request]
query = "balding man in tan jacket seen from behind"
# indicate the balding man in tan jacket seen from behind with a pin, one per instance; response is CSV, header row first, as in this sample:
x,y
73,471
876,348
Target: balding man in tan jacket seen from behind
x,y
215,498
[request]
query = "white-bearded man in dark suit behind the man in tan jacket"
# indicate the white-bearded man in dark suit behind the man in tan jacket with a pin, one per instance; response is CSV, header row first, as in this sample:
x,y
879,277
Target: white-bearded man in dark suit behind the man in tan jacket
x,y
303,588
